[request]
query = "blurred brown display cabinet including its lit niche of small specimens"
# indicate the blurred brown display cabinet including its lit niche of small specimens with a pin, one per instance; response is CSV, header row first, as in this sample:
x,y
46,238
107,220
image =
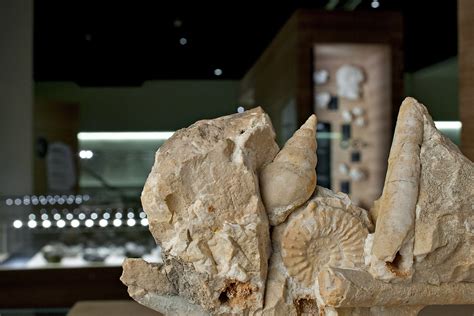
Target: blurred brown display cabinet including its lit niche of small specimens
x,y
347,69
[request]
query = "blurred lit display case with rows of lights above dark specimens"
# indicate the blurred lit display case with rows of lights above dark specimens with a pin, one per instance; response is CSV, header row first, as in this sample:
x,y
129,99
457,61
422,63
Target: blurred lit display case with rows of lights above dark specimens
x,y
61,231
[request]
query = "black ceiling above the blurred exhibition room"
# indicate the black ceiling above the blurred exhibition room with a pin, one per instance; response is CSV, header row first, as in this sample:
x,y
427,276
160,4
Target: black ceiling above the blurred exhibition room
x,y
126,43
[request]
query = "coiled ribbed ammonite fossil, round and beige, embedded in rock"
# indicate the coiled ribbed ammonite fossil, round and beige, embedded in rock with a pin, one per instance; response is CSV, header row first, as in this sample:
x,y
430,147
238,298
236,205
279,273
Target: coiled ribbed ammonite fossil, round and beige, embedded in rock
x,y
322,236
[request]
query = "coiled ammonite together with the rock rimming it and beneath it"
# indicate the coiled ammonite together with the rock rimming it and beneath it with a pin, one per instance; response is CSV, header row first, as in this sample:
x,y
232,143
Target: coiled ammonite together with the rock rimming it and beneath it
x,y
328,230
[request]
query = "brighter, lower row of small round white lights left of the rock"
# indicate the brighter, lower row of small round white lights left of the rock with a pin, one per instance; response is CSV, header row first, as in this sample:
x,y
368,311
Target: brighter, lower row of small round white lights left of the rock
x,y
76,222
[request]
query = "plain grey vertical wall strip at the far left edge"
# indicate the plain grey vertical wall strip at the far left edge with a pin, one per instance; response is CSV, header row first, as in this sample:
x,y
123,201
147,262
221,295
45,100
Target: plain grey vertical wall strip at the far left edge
x,y
16,144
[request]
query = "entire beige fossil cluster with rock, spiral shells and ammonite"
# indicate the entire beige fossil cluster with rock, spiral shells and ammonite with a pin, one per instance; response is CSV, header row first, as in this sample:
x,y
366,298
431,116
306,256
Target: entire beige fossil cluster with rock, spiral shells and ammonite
x,y
244,229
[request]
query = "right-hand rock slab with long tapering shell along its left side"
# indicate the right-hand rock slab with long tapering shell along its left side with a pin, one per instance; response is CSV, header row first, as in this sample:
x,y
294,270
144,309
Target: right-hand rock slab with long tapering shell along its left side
x,y
426,213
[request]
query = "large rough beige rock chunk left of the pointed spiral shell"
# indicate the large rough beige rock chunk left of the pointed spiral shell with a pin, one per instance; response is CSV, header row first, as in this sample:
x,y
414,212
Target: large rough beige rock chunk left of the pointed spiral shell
x,y
203,204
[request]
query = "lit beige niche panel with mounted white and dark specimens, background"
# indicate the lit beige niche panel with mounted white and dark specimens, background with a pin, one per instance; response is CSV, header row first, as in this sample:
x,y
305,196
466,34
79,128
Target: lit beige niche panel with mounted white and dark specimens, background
x,y
352,99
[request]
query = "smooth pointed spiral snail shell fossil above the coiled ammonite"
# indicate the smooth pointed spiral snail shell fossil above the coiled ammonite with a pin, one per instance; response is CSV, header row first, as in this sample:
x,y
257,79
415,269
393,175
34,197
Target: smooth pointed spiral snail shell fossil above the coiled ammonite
x,y
290,179
